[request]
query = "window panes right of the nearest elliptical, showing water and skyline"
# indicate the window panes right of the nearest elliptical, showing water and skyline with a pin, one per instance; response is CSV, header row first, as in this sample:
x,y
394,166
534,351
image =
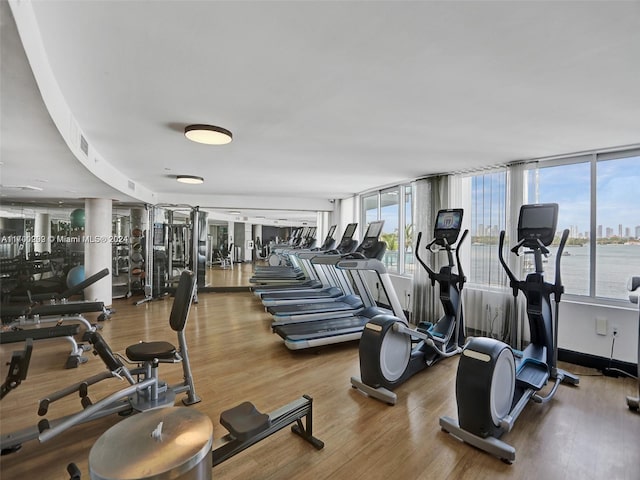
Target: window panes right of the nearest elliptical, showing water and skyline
x,y
597,197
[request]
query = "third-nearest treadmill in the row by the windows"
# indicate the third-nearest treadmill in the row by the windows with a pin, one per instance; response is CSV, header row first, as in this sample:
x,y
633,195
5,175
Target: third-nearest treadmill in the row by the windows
x,y
317,277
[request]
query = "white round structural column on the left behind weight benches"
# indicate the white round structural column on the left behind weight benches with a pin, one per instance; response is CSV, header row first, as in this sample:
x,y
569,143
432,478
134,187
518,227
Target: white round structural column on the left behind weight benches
x,y
97,247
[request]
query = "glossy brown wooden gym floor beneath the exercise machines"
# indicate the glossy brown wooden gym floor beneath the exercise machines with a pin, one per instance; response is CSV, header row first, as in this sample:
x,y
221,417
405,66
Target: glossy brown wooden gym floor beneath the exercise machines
x,y
586,432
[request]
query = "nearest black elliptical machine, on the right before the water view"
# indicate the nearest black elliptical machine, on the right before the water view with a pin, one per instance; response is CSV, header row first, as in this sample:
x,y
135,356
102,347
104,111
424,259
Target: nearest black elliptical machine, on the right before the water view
x,y
494,383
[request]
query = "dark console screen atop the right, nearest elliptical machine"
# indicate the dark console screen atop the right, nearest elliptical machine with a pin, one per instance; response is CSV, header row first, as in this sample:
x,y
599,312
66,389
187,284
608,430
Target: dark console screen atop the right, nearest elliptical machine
x,y
537,222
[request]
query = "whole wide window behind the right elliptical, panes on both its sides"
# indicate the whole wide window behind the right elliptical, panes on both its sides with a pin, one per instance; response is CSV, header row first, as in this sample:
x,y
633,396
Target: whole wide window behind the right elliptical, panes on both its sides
x,y
597,198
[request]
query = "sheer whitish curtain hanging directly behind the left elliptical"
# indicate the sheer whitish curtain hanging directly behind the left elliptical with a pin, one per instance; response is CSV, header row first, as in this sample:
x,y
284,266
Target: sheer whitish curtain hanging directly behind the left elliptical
x,y
430,195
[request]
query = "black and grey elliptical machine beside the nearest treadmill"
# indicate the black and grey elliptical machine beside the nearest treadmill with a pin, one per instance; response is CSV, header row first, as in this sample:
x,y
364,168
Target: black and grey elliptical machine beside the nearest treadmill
x,y
390,351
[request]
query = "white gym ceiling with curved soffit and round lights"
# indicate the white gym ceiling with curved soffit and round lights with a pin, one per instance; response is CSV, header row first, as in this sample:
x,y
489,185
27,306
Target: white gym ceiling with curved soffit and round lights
x,y
325,99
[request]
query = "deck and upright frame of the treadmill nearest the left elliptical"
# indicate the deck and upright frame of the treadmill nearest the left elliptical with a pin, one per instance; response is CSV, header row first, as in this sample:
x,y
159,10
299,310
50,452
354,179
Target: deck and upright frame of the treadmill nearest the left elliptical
x,y
305,333
